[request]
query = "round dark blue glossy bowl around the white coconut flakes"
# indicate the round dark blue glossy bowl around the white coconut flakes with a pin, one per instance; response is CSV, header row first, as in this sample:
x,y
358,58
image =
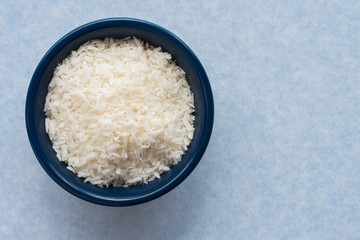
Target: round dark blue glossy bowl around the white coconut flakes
x,y
119,28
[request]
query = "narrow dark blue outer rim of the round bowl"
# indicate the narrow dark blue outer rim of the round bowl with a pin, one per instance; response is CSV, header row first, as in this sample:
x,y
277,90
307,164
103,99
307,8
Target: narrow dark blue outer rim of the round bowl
x,y
84,194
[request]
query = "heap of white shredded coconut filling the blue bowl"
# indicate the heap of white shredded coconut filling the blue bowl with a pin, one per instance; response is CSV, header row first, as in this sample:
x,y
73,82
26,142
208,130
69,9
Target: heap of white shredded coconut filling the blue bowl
x,y
119,112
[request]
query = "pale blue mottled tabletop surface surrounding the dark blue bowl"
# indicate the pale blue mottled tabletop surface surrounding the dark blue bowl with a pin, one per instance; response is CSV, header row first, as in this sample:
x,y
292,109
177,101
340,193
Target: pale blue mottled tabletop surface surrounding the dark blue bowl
x,y
284,158
